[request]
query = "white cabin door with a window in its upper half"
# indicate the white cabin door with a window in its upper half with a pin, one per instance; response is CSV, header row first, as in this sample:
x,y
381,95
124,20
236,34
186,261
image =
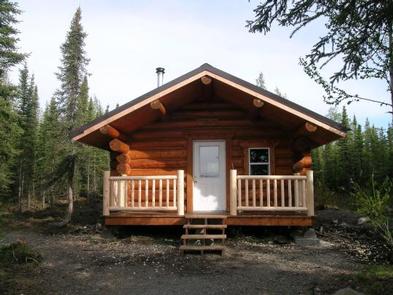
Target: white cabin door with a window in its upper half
x,y
209,192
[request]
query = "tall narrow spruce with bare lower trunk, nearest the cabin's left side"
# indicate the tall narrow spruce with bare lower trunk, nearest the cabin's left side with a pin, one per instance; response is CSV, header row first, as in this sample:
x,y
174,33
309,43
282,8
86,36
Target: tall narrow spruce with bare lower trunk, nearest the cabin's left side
x,y
71,75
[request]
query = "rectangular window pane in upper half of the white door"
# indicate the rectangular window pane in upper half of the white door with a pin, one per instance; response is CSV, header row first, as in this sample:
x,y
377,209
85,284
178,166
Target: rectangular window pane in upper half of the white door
x,y
209,161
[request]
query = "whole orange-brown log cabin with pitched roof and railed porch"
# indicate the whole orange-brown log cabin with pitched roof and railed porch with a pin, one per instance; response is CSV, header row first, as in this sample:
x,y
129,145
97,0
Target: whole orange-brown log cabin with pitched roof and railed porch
x,y
209,144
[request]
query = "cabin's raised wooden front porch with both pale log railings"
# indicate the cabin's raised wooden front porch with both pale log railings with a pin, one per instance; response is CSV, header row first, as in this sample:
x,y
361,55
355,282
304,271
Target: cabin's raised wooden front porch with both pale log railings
x,y
273,200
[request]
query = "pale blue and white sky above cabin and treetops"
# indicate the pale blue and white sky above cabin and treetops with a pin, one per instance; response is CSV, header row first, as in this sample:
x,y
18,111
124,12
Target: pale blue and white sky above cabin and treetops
x,y
127,40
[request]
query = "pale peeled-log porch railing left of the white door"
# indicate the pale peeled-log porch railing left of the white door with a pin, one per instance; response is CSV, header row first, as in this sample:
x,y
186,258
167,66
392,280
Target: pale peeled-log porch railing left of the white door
x,y
144,193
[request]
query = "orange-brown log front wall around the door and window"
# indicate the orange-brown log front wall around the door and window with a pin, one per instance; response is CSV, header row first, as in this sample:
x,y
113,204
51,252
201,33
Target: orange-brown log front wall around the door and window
x,y
163,147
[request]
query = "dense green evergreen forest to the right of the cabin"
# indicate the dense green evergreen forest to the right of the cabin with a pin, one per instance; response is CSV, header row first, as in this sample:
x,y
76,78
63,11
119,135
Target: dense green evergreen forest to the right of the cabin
x,y
363,155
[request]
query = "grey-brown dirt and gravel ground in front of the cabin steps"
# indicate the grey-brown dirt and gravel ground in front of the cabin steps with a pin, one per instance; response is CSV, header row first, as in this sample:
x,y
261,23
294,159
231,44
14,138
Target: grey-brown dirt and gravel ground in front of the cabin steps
x,y
94,264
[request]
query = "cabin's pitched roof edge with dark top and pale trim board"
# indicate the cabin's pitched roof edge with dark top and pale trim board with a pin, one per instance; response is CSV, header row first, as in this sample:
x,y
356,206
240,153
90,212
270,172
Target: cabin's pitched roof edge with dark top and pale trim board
x,y
226,78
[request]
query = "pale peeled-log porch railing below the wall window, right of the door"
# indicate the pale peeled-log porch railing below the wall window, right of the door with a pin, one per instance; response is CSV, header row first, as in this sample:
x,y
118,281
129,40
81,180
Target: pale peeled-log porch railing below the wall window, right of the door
x,y
271,193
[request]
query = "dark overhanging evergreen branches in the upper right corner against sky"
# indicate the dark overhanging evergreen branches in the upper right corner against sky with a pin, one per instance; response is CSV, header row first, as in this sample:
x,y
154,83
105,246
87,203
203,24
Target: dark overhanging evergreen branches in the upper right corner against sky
x,y
358,40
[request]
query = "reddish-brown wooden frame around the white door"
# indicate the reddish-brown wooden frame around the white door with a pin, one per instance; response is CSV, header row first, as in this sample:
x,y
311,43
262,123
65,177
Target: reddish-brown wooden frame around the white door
x,y
190,168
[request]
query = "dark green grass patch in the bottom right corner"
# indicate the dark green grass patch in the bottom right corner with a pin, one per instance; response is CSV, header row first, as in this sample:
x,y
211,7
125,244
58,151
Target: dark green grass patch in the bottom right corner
x,y
376,279
